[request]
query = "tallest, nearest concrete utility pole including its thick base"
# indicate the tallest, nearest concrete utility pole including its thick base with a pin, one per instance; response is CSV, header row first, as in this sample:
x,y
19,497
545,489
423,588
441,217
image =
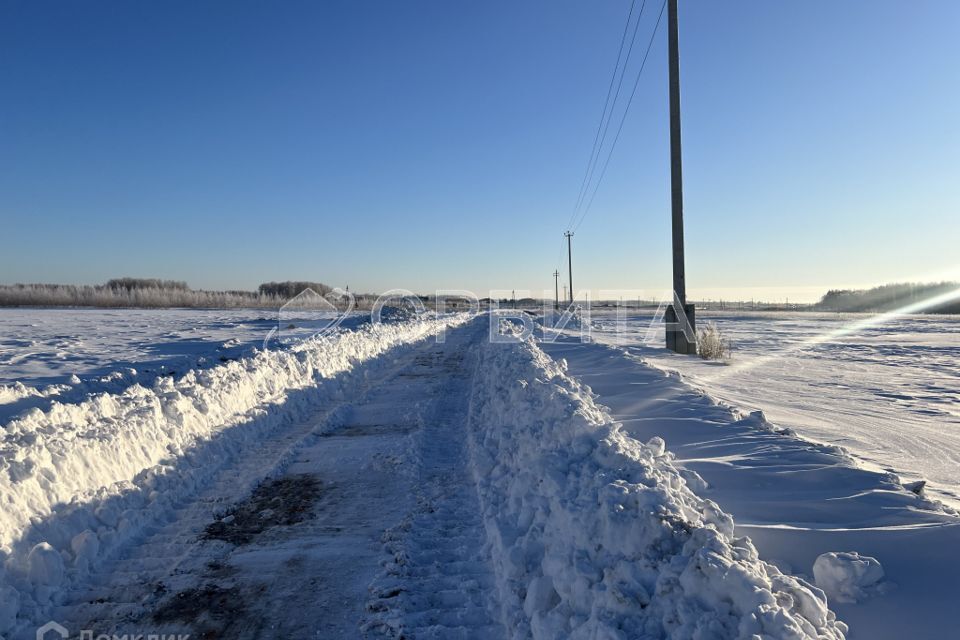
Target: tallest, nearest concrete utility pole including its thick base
x,y
676,339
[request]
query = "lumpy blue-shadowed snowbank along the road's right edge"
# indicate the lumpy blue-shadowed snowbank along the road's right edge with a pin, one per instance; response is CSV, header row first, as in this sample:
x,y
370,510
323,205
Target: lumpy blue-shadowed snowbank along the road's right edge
x,y
596,535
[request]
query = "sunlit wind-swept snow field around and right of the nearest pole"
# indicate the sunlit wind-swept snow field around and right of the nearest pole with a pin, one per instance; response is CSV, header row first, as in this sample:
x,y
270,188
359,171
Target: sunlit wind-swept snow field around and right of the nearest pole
x,y
886,389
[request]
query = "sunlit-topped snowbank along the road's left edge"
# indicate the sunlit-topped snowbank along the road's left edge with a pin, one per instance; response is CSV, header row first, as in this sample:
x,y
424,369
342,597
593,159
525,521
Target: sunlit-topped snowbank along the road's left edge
x,y
79,479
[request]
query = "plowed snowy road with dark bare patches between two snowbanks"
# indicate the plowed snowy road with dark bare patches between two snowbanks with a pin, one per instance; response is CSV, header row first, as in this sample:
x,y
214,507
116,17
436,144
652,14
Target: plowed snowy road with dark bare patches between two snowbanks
x,y
366,521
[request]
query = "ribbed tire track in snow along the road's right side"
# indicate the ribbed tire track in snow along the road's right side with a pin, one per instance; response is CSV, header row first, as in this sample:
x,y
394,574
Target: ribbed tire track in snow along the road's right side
x,y
439,581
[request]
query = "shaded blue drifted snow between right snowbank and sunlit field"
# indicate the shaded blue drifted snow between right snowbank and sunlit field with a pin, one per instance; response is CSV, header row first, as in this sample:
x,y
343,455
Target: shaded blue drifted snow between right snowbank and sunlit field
x,y
796,499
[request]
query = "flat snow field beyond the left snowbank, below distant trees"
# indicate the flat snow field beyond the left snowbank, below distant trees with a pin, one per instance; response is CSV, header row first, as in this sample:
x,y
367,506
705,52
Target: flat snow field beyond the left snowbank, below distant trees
x,y
68,355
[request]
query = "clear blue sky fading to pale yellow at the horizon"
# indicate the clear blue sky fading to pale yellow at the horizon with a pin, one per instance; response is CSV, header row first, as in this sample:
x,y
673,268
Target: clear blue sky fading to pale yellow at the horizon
x,y
422,144
